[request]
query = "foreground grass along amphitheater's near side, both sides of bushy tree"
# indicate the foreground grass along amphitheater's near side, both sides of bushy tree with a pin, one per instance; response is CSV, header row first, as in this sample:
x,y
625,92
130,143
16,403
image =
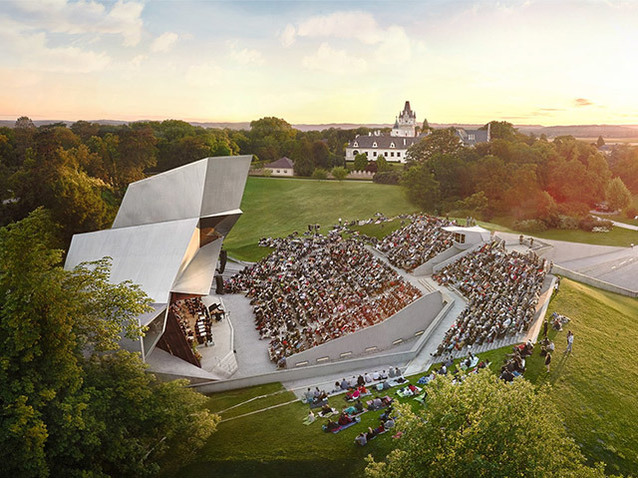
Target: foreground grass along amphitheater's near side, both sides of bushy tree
x,y
595,389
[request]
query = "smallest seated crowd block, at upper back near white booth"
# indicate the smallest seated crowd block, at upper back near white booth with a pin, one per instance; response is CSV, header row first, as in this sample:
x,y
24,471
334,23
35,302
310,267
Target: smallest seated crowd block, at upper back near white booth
x,y
417,242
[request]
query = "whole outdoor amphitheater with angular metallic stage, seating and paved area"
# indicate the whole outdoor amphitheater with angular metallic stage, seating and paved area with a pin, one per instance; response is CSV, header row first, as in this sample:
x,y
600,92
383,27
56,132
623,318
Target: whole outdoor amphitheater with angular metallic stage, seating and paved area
x,y
325,304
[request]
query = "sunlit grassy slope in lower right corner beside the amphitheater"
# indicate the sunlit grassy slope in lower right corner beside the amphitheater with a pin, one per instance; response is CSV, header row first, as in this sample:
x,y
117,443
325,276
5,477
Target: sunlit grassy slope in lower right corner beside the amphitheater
x,y
596,388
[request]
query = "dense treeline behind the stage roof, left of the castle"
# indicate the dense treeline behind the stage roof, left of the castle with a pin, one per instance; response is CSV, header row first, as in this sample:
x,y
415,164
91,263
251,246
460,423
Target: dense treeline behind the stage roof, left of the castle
x,y
80,173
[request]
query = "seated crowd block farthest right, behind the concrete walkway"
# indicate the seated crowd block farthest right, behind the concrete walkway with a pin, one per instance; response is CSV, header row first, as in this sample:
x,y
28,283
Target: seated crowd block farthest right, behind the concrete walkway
x,y
502,289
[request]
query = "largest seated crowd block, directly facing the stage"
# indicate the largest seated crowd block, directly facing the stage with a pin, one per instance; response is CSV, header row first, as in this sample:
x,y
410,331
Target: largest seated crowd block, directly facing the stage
x,y
313,288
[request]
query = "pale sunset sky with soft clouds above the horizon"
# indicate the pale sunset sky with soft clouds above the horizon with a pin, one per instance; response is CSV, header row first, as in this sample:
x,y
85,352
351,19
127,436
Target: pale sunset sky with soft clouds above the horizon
x,y
315,62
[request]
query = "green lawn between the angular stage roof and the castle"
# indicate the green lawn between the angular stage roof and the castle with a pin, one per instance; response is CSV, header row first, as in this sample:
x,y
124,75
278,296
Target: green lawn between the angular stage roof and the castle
x,y
277,207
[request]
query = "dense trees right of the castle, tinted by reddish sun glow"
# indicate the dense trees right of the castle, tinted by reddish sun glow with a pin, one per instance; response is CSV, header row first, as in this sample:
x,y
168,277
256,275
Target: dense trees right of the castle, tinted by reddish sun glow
x,y
539,182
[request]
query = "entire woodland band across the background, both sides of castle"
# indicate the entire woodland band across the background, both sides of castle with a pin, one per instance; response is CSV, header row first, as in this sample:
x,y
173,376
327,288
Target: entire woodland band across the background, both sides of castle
x,y
80,172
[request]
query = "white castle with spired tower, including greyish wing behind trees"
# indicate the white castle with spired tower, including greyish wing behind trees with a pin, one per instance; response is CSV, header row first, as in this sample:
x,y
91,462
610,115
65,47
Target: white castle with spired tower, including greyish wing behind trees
x,y
403,135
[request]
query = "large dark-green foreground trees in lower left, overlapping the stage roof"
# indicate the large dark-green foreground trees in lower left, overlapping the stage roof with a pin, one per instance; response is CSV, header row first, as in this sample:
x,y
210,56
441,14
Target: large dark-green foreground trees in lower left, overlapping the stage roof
x,y
71,404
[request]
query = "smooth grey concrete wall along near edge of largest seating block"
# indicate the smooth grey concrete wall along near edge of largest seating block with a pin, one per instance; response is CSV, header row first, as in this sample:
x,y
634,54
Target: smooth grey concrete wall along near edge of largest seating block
x,y
401,327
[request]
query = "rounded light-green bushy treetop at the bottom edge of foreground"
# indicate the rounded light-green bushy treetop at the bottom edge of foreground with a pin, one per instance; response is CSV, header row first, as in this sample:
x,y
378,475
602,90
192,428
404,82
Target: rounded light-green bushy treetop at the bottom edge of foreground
x,y
483,427
